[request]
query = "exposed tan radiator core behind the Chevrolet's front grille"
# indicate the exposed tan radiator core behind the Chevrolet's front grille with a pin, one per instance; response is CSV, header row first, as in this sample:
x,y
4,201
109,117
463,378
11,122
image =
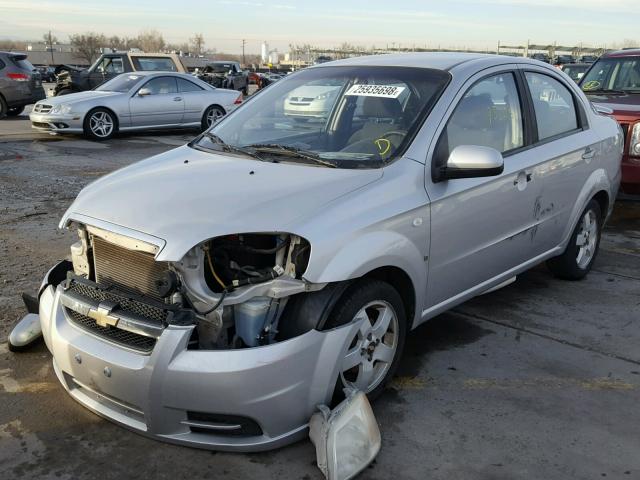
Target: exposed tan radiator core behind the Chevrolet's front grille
x,y
130,270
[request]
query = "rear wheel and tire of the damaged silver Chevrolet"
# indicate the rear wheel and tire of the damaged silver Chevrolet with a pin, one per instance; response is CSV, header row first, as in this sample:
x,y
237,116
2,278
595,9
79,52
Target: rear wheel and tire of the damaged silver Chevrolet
x,y
581,252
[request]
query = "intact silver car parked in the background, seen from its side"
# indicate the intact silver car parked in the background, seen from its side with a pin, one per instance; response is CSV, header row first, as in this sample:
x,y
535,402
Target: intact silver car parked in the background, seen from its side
x,y
136,101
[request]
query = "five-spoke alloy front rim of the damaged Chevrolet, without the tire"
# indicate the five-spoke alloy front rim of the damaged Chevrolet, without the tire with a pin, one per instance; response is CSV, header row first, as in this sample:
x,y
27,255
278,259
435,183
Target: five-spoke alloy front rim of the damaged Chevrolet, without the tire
x,y
372,351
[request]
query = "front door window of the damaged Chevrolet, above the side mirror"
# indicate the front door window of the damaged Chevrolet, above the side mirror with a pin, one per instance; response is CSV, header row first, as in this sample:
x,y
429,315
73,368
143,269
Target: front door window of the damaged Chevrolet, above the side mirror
x,y
489,115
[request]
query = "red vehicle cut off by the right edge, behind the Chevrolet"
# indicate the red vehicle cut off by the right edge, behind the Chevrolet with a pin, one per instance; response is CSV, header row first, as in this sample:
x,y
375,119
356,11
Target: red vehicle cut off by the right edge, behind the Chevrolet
x,y
614,81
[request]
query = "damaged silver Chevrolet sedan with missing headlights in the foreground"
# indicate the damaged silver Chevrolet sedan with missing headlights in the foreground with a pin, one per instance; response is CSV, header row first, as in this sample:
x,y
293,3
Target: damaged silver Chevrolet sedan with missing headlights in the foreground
x,y
220,291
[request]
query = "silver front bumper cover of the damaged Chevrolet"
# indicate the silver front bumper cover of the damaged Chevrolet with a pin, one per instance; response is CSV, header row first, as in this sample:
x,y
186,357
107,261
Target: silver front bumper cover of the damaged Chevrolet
x,y
277,386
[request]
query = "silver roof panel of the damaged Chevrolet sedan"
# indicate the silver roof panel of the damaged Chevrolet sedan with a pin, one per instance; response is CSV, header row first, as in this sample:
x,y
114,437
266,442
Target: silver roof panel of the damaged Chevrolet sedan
x,y
435,60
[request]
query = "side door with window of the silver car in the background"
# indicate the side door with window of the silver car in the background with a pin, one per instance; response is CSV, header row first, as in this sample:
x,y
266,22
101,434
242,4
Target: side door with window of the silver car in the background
x,y
163,106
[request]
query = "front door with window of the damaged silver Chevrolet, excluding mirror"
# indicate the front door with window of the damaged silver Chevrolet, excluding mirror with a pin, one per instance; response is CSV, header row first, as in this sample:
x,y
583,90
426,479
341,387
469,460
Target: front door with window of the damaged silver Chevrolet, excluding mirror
x,y
482,227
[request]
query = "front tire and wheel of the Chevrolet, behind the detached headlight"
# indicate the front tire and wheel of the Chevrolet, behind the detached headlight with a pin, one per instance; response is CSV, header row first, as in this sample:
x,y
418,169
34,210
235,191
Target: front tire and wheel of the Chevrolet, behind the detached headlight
x,y
366,364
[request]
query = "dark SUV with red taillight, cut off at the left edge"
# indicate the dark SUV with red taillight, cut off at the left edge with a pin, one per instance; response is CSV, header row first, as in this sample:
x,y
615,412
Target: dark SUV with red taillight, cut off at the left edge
x,y
20,84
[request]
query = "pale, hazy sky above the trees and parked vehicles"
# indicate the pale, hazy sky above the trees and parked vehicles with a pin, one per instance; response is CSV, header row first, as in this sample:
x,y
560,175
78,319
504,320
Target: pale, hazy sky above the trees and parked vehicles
x,y
224,23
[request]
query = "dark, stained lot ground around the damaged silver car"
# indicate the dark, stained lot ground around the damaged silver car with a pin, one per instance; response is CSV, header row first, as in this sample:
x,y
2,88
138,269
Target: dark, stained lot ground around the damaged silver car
x,y
538,380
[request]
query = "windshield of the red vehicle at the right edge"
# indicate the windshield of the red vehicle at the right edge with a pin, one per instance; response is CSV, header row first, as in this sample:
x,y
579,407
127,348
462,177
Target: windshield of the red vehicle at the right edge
x,y
616,74
